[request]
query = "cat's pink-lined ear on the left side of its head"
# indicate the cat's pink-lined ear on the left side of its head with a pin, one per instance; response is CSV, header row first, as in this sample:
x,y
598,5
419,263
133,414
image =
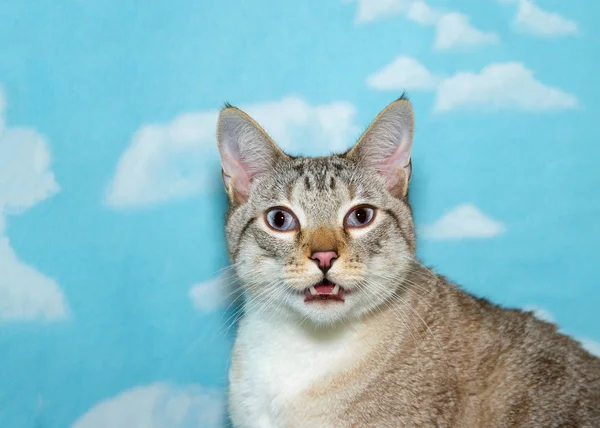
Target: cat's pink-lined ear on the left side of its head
x,y
246,152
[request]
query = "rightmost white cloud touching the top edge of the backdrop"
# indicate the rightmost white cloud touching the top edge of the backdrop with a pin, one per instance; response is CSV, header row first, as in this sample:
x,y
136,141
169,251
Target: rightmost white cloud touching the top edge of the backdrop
x,y
530,18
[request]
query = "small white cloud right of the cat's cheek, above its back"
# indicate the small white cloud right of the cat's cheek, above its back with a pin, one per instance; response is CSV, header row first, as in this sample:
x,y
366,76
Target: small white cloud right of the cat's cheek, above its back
x,y
463,222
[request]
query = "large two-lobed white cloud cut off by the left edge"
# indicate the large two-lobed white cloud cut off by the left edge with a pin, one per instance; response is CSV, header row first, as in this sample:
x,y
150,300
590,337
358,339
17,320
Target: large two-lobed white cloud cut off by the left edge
x,y
25,180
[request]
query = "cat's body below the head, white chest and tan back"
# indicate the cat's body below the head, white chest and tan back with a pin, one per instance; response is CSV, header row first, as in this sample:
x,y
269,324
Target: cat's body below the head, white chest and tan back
x,y
466,363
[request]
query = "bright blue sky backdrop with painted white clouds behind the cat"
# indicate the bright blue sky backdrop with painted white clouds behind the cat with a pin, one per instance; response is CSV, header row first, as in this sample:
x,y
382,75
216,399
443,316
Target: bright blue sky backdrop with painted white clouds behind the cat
x,y
113,292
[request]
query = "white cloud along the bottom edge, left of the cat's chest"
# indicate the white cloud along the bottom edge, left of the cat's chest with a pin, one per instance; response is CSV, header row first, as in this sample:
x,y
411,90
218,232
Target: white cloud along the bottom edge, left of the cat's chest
x,y
158,405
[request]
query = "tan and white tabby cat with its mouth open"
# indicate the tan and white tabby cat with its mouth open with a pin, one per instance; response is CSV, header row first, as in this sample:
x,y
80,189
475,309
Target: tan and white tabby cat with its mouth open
x,y
344,327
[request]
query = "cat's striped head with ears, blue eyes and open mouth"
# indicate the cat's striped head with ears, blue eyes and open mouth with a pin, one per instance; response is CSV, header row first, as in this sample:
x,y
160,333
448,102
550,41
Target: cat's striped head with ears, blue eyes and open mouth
x,y
325,239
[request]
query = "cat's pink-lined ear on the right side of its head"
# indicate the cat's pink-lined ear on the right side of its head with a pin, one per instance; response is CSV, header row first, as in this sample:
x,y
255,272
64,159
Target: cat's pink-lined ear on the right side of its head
x,y
386,144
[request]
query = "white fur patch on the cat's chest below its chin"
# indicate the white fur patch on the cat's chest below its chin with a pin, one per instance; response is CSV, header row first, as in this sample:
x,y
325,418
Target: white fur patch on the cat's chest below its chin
x,y
278,362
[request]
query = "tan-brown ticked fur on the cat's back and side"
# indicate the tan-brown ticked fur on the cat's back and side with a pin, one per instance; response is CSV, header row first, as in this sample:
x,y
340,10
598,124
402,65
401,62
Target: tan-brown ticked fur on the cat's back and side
x,y
465,363
